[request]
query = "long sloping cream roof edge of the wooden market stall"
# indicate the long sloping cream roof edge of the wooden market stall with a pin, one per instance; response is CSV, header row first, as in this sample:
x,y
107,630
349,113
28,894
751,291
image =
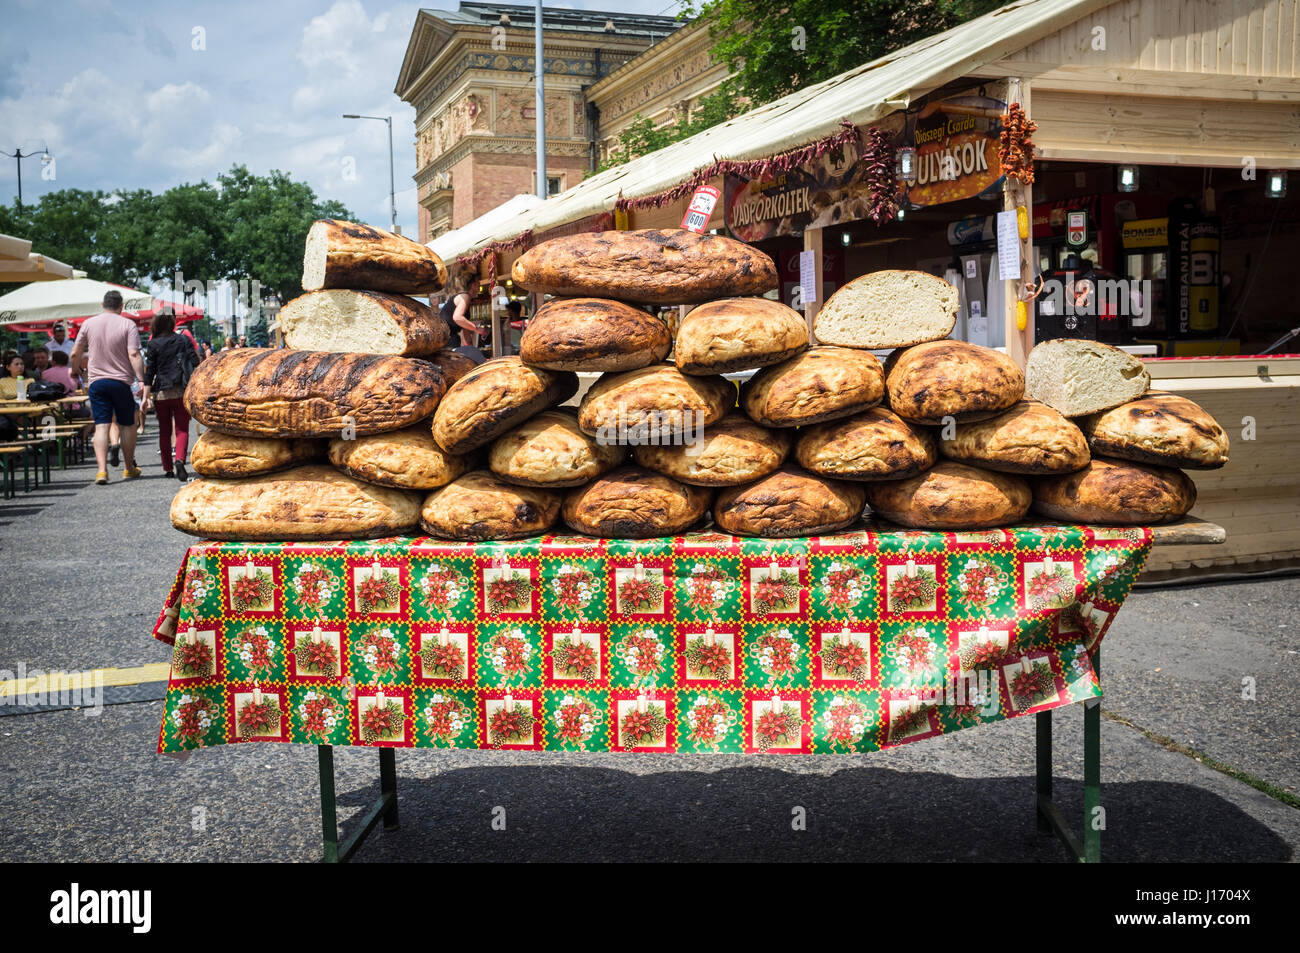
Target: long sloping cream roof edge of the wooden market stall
x,y
861,97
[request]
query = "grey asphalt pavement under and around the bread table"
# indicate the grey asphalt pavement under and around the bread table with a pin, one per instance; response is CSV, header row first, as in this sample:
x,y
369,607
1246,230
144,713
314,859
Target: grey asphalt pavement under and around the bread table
x,y
1199,744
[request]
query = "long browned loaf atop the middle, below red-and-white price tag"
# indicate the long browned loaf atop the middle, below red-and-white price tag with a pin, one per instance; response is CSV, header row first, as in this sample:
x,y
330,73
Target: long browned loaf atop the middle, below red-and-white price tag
x,y
652,266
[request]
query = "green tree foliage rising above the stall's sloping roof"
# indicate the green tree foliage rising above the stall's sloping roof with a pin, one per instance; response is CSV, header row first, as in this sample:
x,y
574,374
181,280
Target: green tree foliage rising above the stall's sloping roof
x,y
778,49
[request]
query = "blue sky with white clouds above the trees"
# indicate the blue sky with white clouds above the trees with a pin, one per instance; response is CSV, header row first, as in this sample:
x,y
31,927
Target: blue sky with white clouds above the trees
x,y
148,94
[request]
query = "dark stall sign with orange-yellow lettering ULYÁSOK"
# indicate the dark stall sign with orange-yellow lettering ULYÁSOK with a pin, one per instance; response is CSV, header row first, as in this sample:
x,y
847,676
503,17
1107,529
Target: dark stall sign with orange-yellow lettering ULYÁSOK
x,y
956,142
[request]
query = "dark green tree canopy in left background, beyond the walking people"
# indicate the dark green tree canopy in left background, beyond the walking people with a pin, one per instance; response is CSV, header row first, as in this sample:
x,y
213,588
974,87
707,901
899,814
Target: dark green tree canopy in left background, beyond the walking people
x,y
245,227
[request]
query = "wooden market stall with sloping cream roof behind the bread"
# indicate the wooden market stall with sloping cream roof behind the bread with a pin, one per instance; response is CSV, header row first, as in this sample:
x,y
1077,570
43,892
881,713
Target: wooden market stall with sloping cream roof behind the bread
x,y
1165,131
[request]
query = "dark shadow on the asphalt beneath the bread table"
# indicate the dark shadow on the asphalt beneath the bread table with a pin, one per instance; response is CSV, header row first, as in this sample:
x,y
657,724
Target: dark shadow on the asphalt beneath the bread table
x,y
746,815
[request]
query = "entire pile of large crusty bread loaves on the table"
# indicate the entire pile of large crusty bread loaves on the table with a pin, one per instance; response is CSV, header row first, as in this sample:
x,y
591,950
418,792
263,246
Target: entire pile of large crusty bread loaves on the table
x,y
946,435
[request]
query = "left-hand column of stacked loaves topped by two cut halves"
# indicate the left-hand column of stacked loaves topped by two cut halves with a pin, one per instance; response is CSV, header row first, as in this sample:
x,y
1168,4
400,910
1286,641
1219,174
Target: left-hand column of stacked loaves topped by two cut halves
x,y
367,367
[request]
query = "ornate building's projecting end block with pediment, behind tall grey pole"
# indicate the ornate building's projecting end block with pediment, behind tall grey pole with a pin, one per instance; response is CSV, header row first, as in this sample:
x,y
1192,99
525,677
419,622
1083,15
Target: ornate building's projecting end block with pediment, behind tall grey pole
x,y
470,77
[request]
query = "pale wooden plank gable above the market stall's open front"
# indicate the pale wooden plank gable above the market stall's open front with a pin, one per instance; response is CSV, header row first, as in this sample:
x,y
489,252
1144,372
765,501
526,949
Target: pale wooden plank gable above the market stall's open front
x,y
1227,37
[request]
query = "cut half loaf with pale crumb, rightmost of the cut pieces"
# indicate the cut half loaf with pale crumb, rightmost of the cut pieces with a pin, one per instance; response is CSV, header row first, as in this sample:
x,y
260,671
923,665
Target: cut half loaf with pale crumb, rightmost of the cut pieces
x,y
1081,378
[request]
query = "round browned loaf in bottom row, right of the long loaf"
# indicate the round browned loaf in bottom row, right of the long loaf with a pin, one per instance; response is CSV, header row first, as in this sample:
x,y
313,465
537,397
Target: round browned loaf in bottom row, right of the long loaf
x,y
483,506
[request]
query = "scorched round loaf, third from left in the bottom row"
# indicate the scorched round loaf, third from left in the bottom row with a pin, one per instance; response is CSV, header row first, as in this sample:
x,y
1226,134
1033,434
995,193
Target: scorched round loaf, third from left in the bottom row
x,y
635,504
